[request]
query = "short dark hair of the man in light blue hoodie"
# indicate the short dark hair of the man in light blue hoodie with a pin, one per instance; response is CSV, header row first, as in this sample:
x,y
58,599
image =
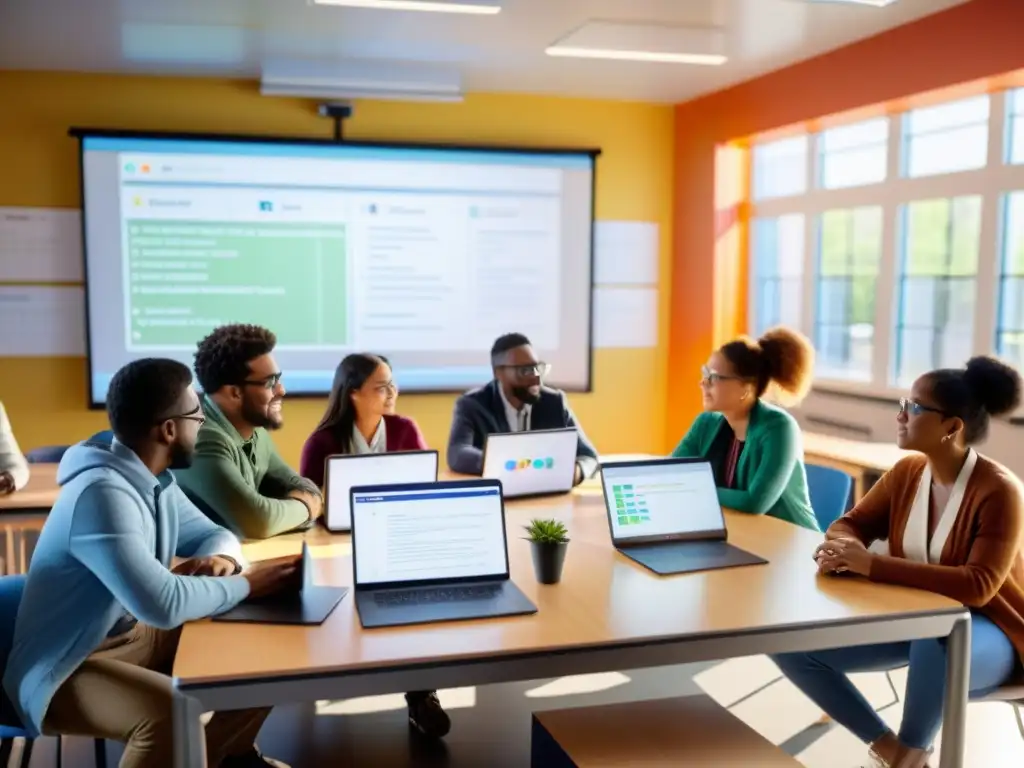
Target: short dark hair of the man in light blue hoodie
x,y
142,394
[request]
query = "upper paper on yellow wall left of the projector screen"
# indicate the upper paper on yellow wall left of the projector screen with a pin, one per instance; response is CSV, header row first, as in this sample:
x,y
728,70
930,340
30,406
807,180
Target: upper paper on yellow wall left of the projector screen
x,y
40,245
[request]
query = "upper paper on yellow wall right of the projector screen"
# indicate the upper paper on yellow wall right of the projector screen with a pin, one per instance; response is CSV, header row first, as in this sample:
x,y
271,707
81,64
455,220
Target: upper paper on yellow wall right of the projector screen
x,y
626,253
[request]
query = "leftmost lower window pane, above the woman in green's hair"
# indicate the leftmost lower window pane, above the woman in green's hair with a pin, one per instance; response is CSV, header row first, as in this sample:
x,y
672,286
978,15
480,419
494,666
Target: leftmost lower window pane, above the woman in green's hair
x,y
777,293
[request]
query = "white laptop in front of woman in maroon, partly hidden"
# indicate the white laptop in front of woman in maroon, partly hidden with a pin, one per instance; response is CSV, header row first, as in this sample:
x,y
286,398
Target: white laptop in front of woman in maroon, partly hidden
x,y
344,472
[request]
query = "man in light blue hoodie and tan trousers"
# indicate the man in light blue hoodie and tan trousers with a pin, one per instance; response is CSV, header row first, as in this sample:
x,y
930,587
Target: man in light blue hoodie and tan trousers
x,y
105,603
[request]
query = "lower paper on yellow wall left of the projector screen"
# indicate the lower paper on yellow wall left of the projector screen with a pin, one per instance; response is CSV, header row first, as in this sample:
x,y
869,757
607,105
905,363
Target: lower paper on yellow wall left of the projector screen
x,y
42,322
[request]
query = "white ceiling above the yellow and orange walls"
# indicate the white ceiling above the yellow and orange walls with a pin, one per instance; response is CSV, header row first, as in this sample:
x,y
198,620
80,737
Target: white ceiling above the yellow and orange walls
x,y
503,53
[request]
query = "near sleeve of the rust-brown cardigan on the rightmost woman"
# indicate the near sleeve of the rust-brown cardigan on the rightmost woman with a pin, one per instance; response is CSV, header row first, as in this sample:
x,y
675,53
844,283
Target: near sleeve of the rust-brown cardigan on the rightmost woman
x,y
994,550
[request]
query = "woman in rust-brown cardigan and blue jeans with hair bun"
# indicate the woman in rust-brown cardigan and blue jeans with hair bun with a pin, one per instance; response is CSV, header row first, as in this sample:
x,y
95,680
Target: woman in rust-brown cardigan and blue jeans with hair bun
x,y
954,520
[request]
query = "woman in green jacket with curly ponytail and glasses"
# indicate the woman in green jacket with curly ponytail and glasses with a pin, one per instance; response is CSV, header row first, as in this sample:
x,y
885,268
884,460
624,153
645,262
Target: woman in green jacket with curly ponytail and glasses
x,y
756,449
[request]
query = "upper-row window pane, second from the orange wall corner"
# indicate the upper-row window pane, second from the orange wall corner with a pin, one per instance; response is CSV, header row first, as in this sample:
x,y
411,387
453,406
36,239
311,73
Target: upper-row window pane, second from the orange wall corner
x,y
854,155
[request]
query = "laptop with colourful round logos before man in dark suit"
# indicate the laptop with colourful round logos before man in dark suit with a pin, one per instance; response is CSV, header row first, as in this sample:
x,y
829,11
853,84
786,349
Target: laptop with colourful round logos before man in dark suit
x,y
535,463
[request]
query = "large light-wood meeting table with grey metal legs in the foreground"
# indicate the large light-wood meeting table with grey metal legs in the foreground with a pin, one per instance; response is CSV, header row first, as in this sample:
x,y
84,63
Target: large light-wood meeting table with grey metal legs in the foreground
x,y
608,614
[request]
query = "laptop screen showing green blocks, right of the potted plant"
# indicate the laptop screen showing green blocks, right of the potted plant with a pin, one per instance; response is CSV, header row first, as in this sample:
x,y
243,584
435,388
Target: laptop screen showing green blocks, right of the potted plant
x,y
664,499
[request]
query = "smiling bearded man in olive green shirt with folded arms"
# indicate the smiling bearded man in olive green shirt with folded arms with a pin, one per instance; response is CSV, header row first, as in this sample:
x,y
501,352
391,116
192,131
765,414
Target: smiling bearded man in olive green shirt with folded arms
x,y
238,478
